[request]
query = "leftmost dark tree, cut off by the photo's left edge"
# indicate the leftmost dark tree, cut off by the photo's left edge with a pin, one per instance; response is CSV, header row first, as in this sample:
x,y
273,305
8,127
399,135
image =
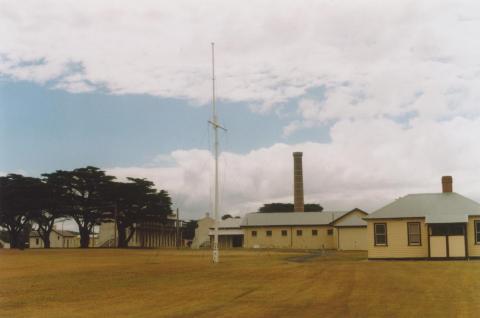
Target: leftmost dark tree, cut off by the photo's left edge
x,y
20,200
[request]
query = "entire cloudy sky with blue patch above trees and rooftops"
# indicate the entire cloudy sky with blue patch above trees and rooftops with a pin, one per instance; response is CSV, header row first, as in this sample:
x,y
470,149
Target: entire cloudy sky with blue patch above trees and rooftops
x,y
382,97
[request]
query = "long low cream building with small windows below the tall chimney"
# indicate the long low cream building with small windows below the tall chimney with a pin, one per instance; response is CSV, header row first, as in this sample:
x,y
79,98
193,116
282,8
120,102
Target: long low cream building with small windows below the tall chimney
x,y
305,230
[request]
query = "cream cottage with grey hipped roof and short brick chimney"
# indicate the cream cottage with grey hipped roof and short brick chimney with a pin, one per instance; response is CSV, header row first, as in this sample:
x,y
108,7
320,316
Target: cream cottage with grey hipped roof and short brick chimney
x,y
420,226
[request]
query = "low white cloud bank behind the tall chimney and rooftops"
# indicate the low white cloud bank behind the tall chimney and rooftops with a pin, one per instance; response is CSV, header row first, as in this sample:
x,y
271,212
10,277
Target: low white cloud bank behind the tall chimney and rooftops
x,y
368,163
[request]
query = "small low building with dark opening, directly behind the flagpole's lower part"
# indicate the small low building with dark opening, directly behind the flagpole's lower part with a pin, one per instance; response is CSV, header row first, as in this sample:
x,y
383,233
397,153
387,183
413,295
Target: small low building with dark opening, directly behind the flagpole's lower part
x,y
229,233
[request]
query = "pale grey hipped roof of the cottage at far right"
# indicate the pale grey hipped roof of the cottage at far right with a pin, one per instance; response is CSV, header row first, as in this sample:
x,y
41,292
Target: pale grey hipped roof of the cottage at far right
x,y
451,206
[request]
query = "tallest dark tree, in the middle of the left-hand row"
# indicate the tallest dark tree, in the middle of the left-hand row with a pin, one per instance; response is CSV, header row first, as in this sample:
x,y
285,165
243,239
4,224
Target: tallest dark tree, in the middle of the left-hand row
x,y
83,193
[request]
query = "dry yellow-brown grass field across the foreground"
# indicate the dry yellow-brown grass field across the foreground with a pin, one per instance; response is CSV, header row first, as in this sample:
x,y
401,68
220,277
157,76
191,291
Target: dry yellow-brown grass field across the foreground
x,y
169,283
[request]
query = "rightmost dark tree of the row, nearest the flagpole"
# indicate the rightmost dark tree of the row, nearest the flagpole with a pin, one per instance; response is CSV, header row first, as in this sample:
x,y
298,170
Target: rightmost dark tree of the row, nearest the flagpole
x,y
135,202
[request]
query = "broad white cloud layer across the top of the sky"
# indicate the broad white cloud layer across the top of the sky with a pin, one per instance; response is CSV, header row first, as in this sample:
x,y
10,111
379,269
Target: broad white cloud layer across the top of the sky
x,y
374,57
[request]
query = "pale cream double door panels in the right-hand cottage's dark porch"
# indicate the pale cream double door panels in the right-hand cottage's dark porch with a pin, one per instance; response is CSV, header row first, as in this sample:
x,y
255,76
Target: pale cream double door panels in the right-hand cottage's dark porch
x,y
447,240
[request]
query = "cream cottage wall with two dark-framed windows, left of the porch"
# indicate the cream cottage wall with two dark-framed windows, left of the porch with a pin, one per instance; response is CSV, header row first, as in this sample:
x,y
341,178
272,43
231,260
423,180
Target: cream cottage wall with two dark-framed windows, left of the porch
x,y
397,240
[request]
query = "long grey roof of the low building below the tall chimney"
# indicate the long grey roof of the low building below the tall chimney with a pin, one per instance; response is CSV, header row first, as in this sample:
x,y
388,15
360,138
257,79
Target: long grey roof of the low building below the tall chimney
x,y
291,218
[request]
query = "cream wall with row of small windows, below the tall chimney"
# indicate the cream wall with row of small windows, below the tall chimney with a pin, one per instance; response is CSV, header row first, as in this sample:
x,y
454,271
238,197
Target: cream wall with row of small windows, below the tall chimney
x,y
306,241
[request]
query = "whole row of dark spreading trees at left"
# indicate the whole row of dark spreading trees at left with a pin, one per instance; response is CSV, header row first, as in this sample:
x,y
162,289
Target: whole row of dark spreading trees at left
x,y
86,195
